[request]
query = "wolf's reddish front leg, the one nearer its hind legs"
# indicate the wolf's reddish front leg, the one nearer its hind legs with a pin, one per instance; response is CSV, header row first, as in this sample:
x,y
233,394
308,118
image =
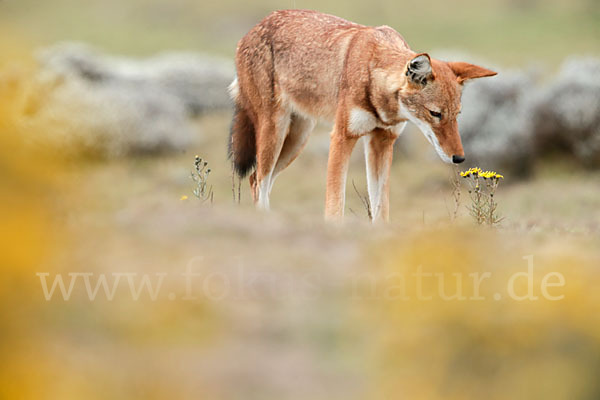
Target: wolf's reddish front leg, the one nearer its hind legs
x,y
340,150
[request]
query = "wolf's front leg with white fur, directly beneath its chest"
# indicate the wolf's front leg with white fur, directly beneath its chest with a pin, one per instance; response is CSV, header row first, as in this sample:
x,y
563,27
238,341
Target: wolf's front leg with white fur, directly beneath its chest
x,y
379,150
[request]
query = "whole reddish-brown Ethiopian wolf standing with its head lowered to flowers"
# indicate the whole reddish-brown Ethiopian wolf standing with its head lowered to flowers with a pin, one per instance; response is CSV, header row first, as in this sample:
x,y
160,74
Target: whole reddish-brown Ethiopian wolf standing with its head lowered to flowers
x,y
298,66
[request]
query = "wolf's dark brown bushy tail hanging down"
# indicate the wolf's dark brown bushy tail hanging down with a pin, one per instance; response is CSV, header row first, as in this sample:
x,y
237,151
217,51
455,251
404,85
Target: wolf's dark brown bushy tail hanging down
x,y
242,142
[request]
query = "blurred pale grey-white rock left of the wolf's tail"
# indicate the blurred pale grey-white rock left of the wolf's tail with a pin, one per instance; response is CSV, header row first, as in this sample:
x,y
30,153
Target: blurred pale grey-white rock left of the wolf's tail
x,y
87,102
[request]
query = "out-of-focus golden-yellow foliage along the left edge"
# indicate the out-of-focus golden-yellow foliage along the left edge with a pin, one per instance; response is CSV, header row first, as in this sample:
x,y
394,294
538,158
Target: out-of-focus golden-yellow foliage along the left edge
x,y
28,233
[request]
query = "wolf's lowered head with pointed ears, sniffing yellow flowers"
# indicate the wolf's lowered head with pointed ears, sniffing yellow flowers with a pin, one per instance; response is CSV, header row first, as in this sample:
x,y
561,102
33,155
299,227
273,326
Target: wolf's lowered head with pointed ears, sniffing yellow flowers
x,y
430,98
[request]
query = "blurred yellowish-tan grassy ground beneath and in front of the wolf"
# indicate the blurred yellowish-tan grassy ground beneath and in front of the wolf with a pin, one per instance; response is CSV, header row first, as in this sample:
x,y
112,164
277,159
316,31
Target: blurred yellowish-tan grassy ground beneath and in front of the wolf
x,y
286,306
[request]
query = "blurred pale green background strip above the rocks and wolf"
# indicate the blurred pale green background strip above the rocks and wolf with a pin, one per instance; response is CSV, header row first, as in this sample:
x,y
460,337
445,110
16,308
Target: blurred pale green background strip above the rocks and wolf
x,y
513,32
